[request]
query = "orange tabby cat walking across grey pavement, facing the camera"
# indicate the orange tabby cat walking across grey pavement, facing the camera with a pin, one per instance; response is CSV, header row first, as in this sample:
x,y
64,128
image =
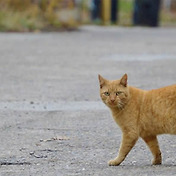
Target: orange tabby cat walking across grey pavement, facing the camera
x,y
139,113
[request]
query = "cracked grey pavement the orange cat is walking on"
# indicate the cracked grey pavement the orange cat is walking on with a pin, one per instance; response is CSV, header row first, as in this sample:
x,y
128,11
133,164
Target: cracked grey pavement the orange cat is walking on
x,y
52,121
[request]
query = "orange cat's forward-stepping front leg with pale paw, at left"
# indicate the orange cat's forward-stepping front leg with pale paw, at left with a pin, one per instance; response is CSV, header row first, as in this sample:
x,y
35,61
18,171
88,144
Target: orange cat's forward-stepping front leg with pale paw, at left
x,y
127,144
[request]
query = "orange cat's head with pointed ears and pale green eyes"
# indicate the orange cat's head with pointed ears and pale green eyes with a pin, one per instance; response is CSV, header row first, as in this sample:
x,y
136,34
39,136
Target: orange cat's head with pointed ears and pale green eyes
x,y
114,94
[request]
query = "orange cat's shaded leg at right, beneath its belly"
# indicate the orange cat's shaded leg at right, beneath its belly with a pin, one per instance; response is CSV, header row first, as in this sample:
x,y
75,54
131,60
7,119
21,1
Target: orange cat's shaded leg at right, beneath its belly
x,y
152,143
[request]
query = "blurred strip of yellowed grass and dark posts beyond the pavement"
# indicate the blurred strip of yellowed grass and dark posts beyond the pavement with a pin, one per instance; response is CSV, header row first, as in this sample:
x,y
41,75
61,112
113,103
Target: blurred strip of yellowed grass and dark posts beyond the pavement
x,y
54,15
